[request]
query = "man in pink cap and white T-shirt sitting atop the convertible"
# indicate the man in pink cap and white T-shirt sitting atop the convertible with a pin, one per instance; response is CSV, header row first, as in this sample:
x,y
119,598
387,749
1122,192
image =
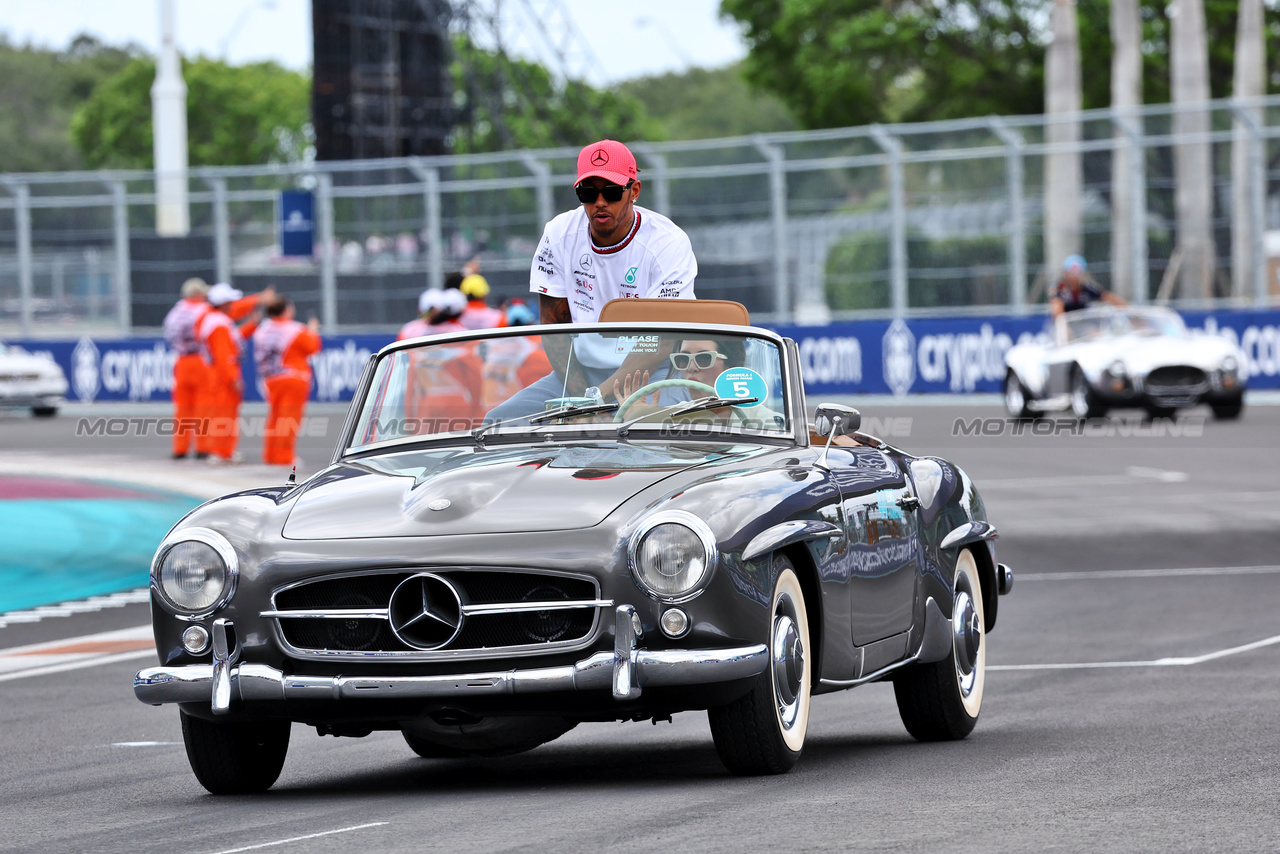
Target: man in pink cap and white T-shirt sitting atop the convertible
x,y
607,248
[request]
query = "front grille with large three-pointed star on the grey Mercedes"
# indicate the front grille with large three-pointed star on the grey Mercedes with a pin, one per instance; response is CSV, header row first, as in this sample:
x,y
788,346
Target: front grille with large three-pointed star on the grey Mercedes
x,y
472,614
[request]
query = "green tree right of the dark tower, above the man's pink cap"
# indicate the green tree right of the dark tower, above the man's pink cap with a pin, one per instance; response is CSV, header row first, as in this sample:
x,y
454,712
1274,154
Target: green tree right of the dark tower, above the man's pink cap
x,y
516,104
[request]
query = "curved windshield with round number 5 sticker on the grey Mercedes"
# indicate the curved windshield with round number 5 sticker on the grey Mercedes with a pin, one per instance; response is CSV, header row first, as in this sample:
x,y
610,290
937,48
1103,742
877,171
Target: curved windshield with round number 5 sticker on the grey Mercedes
x,y
616,383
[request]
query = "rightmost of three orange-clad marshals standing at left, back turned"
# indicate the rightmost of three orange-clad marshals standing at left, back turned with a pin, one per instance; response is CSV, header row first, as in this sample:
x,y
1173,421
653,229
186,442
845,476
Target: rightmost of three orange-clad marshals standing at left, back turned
x,y
282,348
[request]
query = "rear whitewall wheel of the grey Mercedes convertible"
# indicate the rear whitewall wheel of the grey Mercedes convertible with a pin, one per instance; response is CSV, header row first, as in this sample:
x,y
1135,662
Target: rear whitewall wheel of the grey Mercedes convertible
x,y
940,702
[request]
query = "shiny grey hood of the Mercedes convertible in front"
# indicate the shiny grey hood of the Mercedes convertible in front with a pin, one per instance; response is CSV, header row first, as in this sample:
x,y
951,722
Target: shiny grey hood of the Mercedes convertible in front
x,y
463,491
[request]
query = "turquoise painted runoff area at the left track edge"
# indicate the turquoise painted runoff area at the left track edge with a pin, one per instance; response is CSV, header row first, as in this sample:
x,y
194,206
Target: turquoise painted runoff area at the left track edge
x,y
58,550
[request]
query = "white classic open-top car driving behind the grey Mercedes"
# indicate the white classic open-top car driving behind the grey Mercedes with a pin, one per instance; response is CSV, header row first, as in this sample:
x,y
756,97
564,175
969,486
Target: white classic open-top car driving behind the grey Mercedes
x,y
1109,358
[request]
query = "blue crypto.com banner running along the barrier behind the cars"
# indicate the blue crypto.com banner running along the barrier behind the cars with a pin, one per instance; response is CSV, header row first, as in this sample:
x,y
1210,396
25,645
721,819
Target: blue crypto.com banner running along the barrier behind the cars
x,y
935,355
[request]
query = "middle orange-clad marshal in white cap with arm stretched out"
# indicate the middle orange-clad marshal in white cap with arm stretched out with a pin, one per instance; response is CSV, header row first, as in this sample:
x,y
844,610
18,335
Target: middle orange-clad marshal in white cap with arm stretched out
x,y
221,348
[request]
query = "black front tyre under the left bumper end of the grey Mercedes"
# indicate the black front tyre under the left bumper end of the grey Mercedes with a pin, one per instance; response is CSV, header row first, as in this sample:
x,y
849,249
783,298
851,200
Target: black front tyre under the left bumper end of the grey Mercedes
x,y
236,759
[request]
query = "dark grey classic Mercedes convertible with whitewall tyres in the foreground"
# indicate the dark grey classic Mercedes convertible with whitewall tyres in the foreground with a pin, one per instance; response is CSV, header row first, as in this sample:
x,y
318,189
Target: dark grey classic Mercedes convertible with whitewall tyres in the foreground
x,y
499,554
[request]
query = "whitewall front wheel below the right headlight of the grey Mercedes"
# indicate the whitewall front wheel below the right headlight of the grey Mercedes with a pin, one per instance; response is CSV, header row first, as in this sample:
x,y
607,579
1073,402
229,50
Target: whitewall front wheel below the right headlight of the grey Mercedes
x,y
764,732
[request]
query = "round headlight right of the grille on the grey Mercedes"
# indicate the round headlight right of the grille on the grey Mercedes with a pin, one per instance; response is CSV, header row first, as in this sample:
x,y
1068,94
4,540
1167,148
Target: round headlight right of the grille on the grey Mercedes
x,y
673,556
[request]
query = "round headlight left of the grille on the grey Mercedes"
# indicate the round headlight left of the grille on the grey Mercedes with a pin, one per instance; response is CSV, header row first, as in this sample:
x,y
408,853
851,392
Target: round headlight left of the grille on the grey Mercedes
x,y
195,572
